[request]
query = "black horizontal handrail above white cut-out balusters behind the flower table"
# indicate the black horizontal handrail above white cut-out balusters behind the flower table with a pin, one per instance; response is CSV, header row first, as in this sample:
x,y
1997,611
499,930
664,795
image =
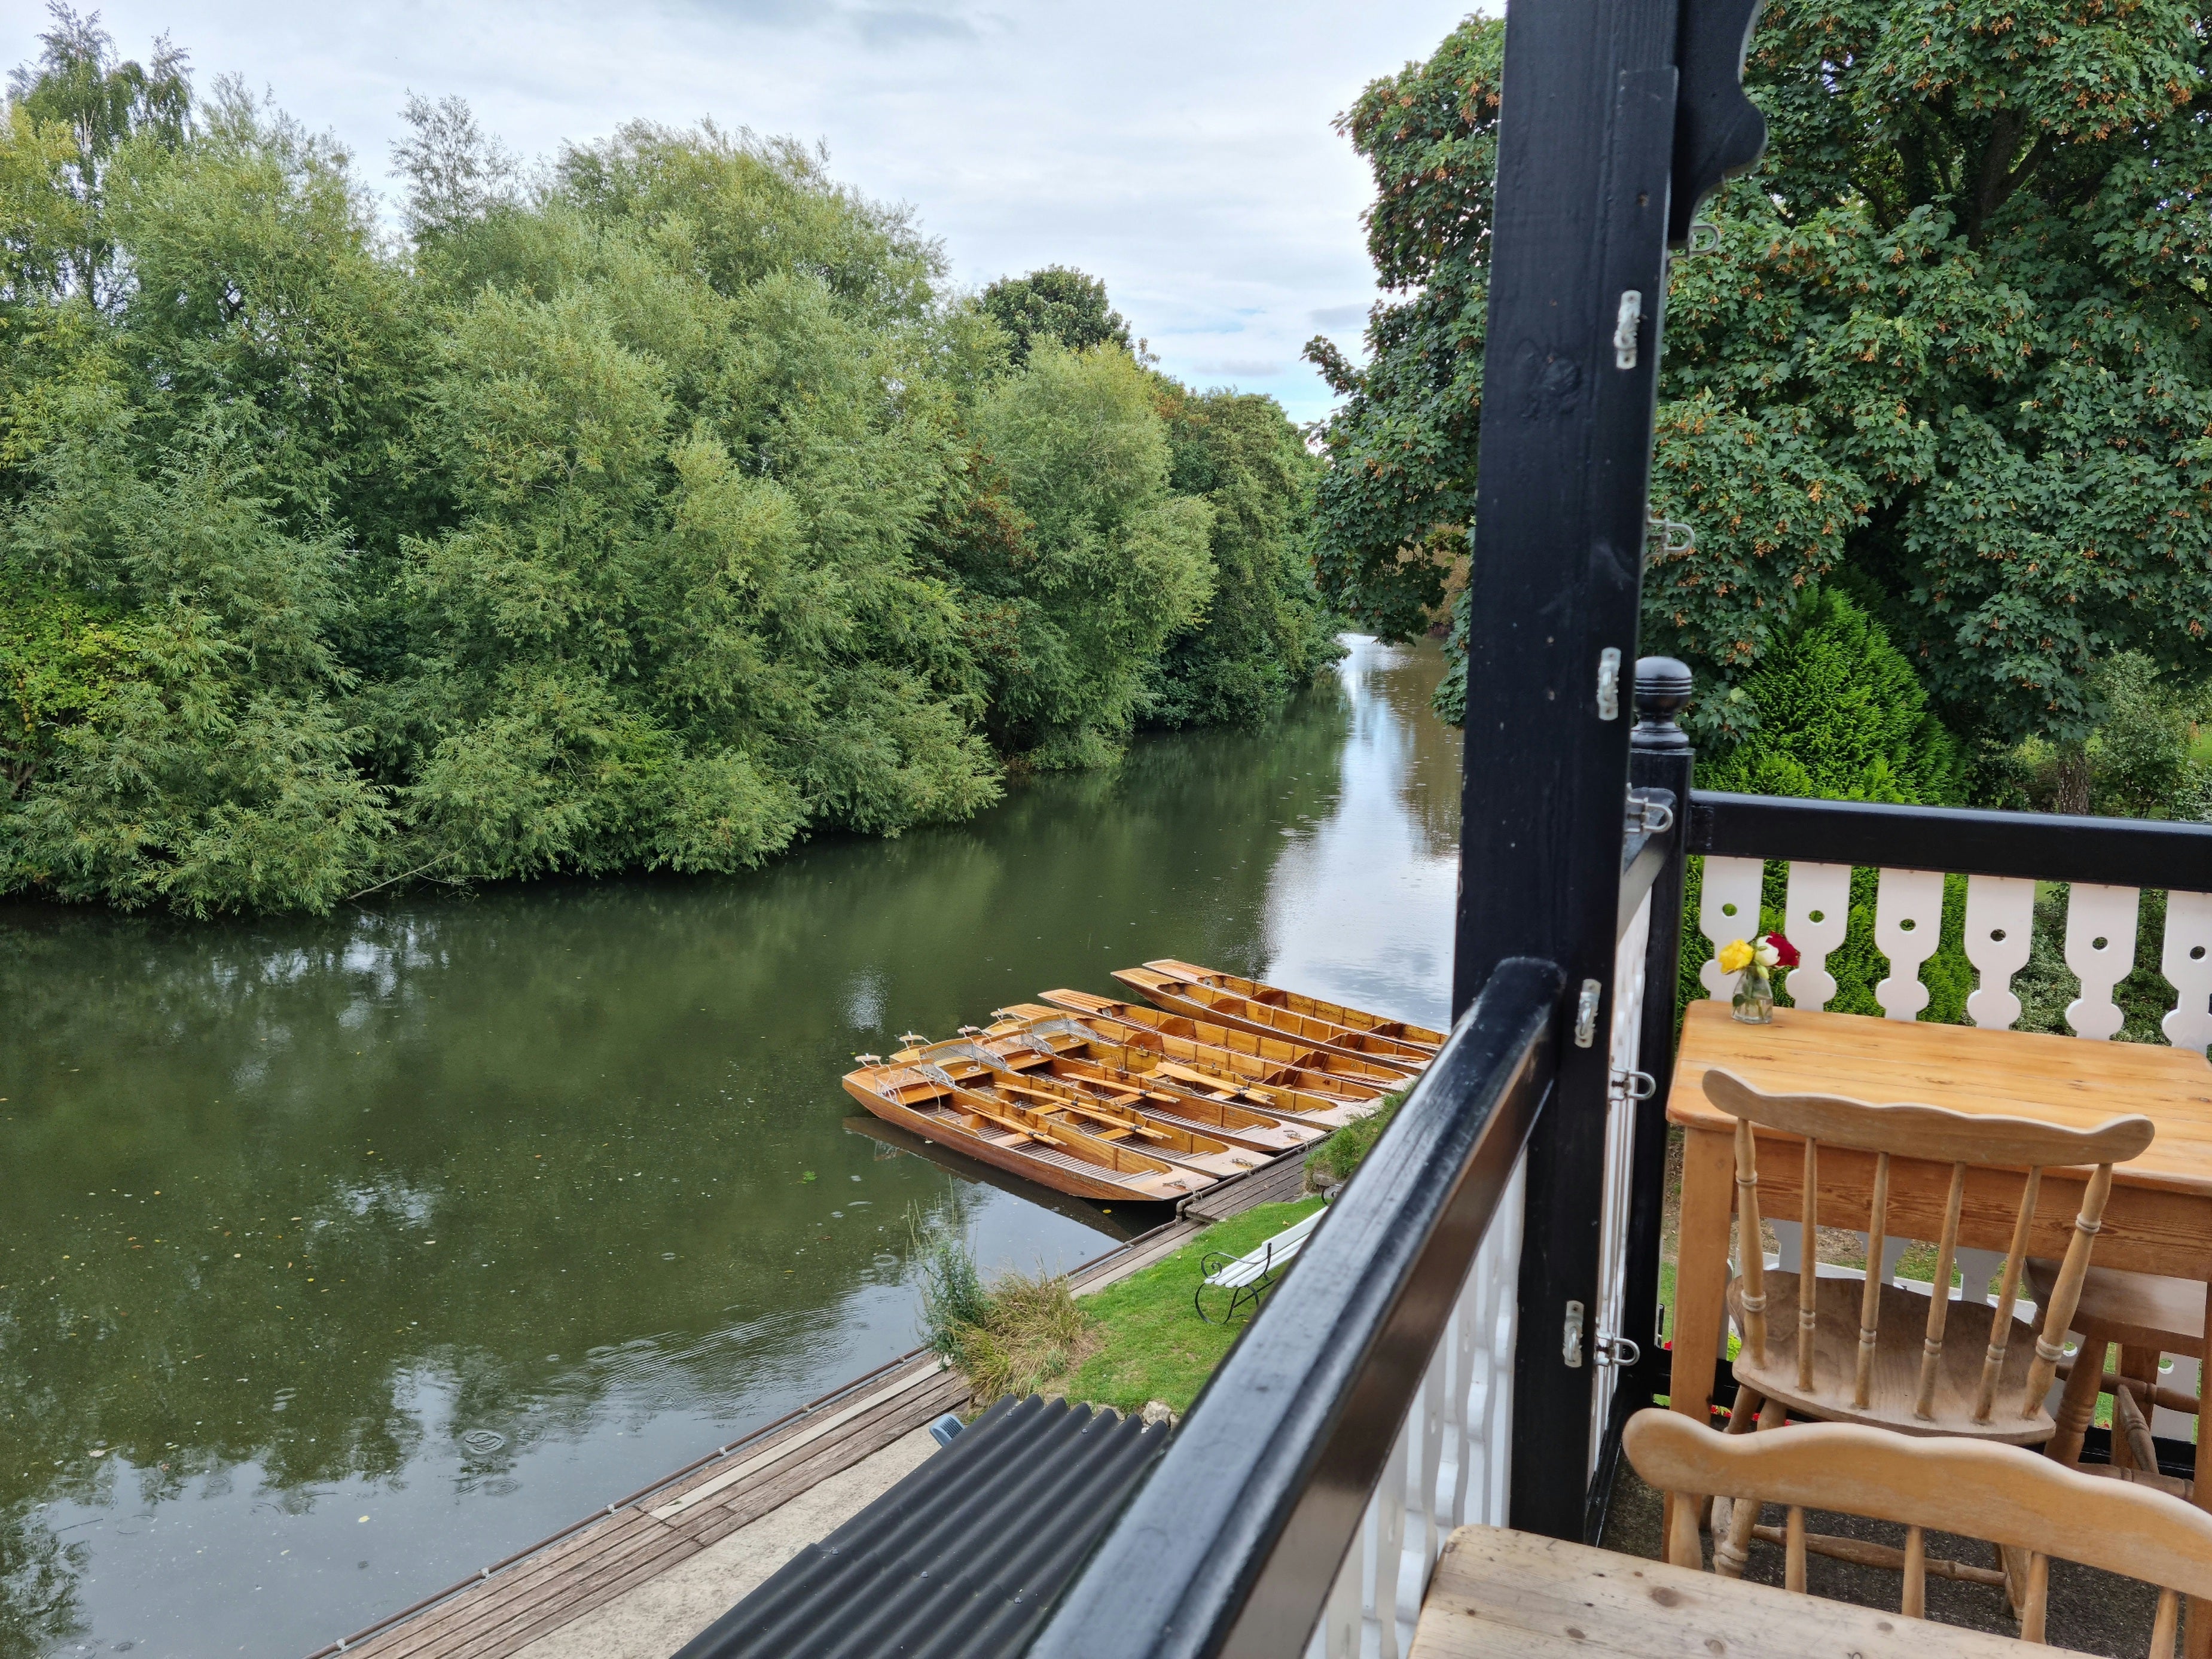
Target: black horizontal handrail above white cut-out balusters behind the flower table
x,y
2041,846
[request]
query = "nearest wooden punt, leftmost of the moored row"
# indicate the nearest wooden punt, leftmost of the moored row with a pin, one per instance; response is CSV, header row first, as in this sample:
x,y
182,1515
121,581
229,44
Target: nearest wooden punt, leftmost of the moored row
x,y
1045,1154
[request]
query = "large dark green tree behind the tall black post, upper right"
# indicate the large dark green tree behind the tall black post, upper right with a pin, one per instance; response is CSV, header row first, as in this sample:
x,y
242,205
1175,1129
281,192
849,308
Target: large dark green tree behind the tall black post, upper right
x,y
1954,342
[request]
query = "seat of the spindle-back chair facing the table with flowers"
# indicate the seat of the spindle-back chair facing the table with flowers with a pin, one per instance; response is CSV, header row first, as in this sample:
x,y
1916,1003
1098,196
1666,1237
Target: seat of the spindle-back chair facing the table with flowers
x,y
1897,1364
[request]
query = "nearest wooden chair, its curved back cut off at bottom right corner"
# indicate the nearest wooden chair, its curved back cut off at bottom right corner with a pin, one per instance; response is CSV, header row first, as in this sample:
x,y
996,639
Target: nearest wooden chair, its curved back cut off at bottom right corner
x,y
1968,1488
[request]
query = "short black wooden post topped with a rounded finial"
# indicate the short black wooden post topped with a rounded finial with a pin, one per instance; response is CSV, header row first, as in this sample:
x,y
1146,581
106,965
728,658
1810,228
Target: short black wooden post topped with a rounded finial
x,y
1658,760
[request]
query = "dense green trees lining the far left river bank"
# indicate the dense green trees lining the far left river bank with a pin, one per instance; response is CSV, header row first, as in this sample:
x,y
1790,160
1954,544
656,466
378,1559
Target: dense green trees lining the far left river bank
x,y
649,517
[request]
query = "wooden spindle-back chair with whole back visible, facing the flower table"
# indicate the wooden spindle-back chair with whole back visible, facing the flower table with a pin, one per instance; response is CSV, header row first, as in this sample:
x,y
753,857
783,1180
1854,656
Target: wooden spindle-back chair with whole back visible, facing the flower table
x,y
1866,1353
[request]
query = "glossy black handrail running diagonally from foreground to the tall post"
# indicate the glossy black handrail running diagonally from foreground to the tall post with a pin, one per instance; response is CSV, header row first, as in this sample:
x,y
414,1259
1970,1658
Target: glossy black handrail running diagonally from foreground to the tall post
x,y
1235,1541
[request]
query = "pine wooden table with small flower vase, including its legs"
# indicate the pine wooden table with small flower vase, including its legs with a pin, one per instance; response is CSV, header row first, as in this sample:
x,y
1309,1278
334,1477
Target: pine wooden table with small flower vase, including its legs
x,y
2160,1218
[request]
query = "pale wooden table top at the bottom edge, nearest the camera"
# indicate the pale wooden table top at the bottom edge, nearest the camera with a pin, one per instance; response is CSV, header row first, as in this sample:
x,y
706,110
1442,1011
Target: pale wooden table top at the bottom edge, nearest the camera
x,y
1514,1594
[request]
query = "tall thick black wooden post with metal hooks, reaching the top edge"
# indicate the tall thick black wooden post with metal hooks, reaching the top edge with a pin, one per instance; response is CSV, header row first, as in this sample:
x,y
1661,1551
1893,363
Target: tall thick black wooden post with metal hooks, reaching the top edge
x,y
1578,282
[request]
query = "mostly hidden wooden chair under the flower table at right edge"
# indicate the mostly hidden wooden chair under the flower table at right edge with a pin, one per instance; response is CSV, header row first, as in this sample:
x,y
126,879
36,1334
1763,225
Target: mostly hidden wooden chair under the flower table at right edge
x,y
2149,1317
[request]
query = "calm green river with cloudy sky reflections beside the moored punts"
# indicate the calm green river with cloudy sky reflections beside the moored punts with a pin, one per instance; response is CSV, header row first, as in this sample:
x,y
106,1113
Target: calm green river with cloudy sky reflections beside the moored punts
x,y
348,1255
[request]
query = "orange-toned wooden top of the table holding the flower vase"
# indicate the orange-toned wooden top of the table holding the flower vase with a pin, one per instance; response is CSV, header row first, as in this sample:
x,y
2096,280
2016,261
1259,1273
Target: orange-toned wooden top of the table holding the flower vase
x,y
2063,1081
